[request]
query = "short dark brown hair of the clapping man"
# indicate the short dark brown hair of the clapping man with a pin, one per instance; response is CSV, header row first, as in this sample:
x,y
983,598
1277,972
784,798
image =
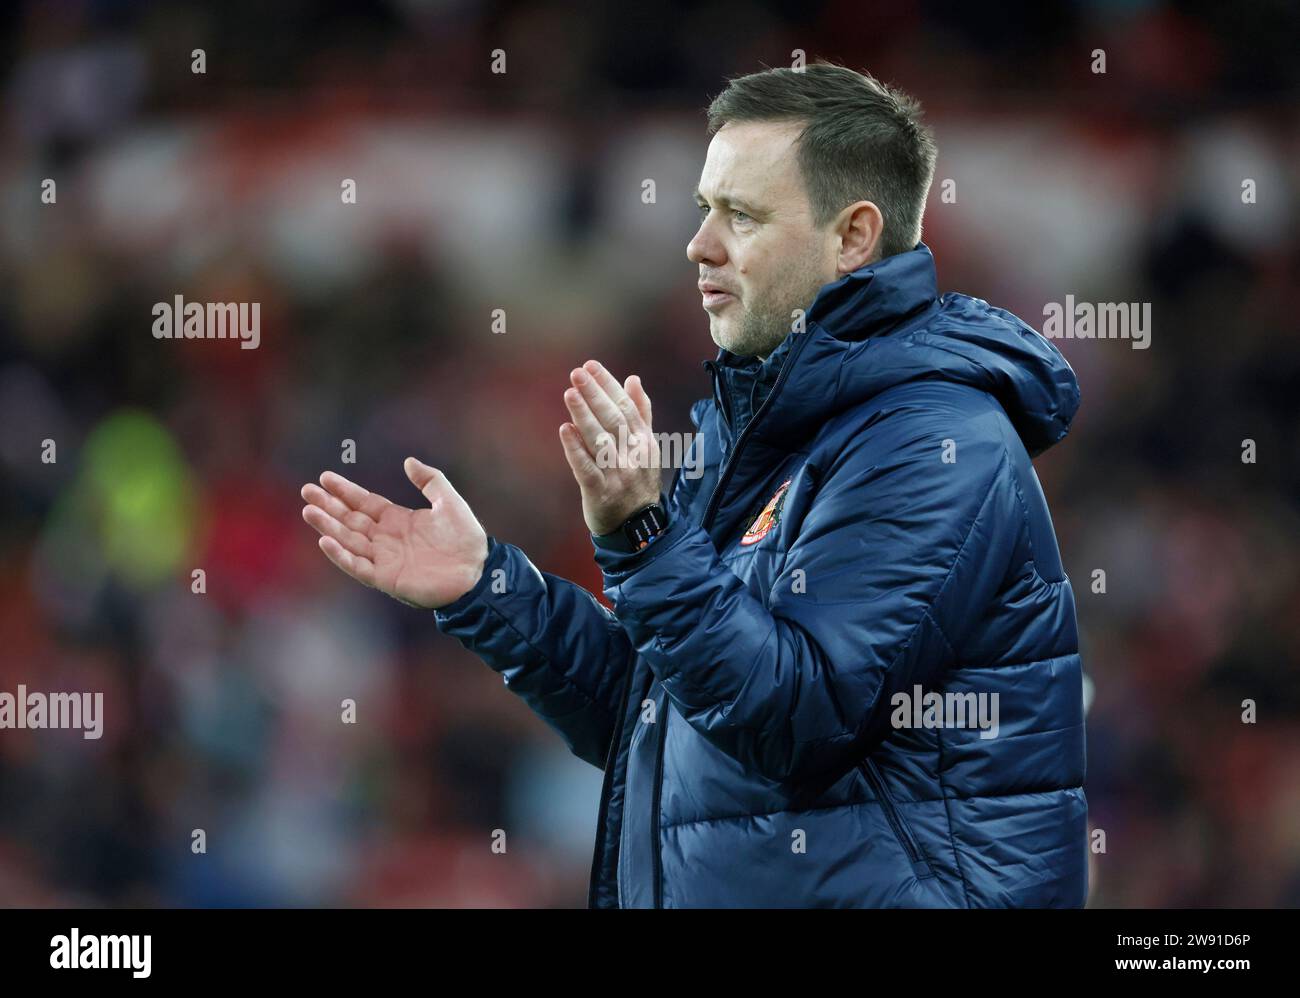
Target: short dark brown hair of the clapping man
x,y
863,141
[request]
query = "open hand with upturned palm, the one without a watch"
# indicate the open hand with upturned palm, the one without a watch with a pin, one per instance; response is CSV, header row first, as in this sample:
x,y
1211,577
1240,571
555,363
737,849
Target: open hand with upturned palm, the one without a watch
x,y
424,558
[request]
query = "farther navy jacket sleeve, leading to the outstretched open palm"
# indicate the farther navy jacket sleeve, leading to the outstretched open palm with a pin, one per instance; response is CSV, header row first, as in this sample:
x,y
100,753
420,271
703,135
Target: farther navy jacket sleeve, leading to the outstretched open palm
x,y
552,641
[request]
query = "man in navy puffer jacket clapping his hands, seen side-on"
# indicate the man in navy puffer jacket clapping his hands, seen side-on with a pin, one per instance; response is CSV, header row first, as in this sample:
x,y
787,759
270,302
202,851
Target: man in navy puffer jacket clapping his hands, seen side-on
x,y
868,532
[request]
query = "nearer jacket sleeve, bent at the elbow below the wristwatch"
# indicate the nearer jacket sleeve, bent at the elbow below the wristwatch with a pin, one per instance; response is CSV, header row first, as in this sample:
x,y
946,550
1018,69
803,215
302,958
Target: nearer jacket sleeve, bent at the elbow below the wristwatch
x,y
898,556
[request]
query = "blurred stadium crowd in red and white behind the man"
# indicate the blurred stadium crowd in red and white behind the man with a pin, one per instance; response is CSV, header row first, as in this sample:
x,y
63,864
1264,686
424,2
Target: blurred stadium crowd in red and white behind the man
x,y
523,192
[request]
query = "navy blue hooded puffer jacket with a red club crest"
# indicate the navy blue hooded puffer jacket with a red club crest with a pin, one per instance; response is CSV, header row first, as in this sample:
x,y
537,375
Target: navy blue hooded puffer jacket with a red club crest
x,y
868,528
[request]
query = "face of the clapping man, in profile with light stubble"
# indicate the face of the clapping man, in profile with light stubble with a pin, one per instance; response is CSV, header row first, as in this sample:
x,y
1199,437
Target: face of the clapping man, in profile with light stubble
x,y
757,242
